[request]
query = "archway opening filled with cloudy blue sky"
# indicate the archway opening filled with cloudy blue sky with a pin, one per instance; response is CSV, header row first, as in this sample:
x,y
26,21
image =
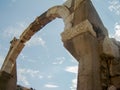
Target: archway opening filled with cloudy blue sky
x,y
45,61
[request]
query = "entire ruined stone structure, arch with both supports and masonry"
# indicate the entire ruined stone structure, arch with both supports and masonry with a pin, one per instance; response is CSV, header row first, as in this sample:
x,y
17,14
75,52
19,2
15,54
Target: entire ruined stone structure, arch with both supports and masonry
x,y
84,36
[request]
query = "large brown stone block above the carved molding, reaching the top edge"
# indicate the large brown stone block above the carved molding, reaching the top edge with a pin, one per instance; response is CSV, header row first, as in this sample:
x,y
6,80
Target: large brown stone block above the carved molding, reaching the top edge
x,y
85,10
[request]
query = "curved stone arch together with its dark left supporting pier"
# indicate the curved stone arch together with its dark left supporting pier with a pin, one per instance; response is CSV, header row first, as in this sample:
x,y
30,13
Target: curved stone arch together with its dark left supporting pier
x,y
9,66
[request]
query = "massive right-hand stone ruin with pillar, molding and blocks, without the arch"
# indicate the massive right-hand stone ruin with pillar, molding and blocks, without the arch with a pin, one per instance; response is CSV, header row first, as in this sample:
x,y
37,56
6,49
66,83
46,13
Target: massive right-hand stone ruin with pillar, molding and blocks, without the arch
x,y
99,65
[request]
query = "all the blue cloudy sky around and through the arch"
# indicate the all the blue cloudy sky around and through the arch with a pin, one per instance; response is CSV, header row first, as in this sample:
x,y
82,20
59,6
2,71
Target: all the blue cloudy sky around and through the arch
x,y
44,63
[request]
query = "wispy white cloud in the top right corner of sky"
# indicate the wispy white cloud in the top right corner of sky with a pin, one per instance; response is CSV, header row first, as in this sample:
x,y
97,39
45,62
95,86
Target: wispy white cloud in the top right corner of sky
x,y
115,6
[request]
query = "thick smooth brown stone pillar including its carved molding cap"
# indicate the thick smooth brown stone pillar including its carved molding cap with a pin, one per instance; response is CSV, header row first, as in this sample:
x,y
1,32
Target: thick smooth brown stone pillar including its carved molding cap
x,y
82,43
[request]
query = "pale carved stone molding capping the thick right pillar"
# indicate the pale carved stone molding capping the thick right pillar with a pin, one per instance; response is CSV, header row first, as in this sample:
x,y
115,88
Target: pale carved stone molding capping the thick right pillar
x,y
83,27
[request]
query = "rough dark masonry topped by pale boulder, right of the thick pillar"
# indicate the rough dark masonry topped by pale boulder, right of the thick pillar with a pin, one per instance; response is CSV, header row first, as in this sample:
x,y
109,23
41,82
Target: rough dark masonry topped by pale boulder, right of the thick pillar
x,y
110,58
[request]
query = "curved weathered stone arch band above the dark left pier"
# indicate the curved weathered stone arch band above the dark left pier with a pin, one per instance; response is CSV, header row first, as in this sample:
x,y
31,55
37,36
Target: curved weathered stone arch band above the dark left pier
x,y
18,44
